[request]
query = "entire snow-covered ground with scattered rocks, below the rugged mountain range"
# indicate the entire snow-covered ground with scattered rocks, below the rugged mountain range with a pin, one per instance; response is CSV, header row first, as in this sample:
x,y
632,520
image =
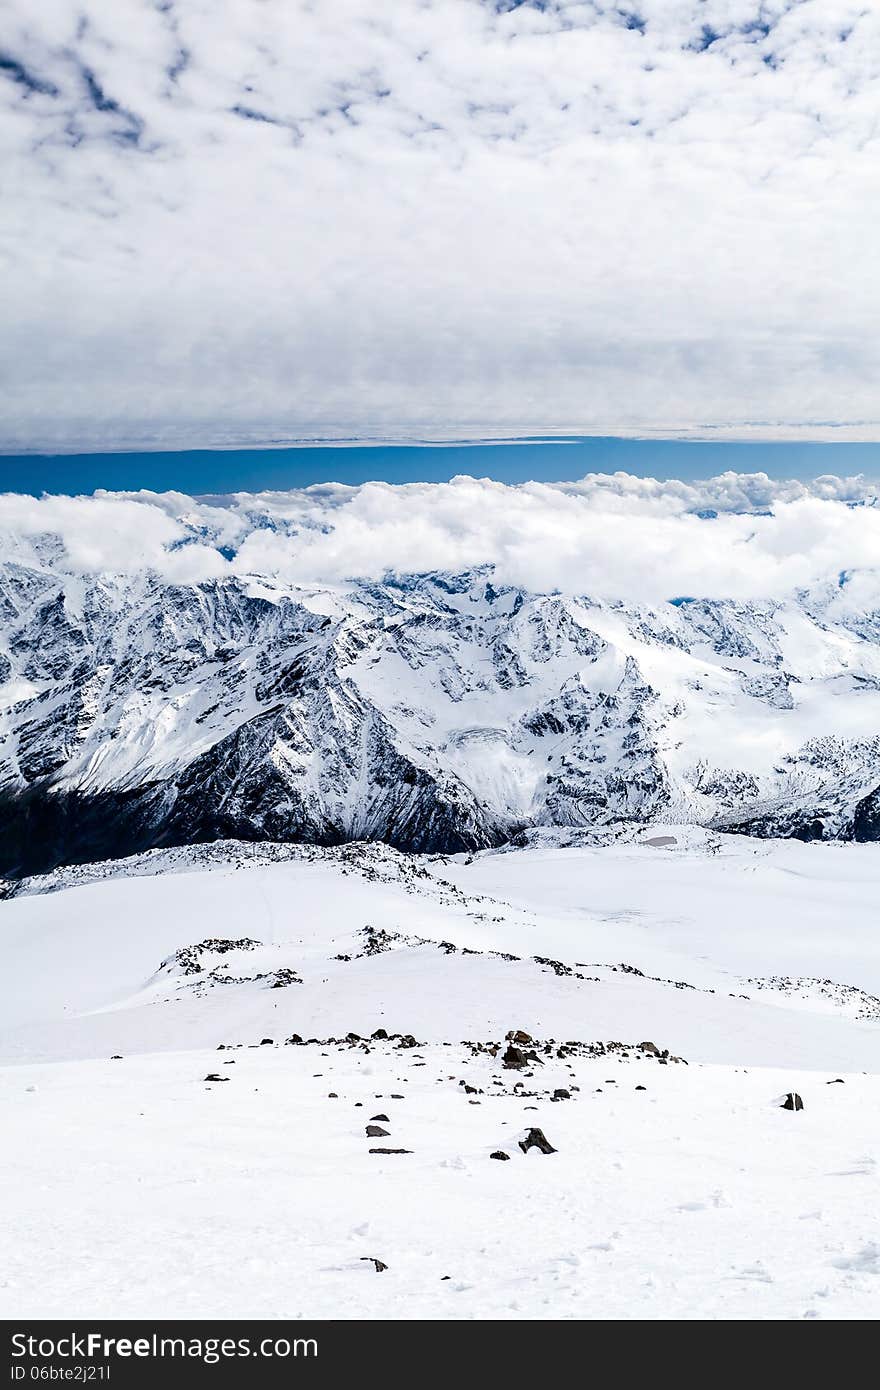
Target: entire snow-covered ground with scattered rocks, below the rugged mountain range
x,y
679,1186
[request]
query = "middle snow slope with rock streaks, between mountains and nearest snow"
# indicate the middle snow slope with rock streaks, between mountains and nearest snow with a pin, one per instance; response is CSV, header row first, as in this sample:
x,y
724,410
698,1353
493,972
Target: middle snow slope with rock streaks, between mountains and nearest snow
x,y
719,949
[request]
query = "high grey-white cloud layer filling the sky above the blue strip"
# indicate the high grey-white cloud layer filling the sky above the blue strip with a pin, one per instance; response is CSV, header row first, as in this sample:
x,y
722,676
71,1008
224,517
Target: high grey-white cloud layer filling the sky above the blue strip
x,y
254,220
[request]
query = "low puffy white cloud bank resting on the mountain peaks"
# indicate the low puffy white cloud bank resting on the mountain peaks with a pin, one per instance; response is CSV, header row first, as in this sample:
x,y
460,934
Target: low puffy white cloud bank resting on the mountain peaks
x,y
612,537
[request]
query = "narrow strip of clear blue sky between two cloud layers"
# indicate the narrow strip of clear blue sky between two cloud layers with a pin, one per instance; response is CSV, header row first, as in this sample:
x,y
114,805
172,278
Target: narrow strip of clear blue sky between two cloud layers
x,y
248,471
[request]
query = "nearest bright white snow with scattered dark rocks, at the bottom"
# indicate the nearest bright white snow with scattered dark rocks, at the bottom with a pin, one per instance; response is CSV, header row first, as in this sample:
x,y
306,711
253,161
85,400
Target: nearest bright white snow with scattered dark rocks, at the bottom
x,y
134,1189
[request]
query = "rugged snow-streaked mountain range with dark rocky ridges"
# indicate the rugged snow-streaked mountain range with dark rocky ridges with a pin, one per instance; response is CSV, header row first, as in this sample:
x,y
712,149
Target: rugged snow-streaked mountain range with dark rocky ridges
x,y
436,712
